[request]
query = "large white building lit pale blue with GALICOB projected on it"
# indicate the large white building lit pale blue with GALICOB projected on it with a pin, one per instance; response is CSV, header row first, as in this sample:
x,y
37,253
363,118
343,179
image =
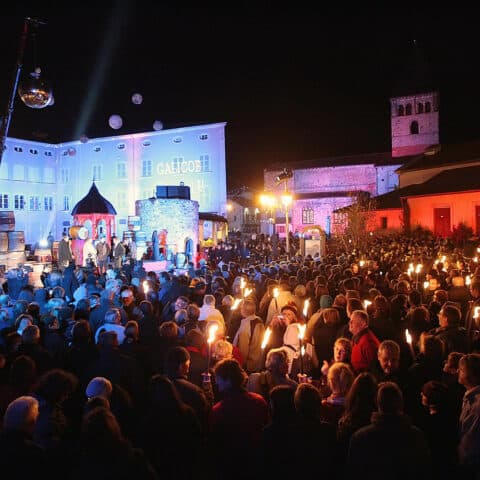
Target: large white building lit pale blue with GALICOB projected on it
x,y
42,182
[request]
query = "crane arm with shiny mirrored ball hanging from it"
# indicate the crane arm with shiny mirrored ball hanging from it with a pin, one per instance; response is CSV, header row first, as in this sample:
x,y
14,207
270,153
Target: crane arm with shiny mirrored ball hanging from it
x,y
35,92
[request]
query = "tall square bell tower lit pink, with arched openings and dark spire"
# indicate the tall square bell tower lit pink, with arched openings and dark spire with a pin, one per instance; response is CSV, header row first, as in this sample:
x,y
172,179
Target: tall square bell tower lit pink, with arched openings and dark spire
x,y
414,106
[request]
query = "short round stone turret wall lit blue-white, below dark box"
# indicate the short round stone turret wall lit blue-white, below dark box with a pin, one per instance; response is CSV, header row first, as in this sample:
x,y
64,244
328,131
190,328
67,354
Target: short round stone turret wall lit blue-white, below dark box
x,y
178,217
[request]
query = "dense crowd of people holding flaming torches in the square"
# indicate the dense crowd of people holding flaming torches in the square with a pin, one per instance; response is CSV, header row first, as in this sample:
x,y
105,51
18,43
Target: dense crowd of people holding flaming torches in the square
x,y
358,361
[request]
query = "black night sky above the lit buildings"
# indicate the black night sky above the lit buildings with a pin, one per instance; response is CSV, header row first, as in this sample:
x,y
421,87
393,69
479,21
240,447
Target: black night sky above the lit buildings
x,y
291,84
